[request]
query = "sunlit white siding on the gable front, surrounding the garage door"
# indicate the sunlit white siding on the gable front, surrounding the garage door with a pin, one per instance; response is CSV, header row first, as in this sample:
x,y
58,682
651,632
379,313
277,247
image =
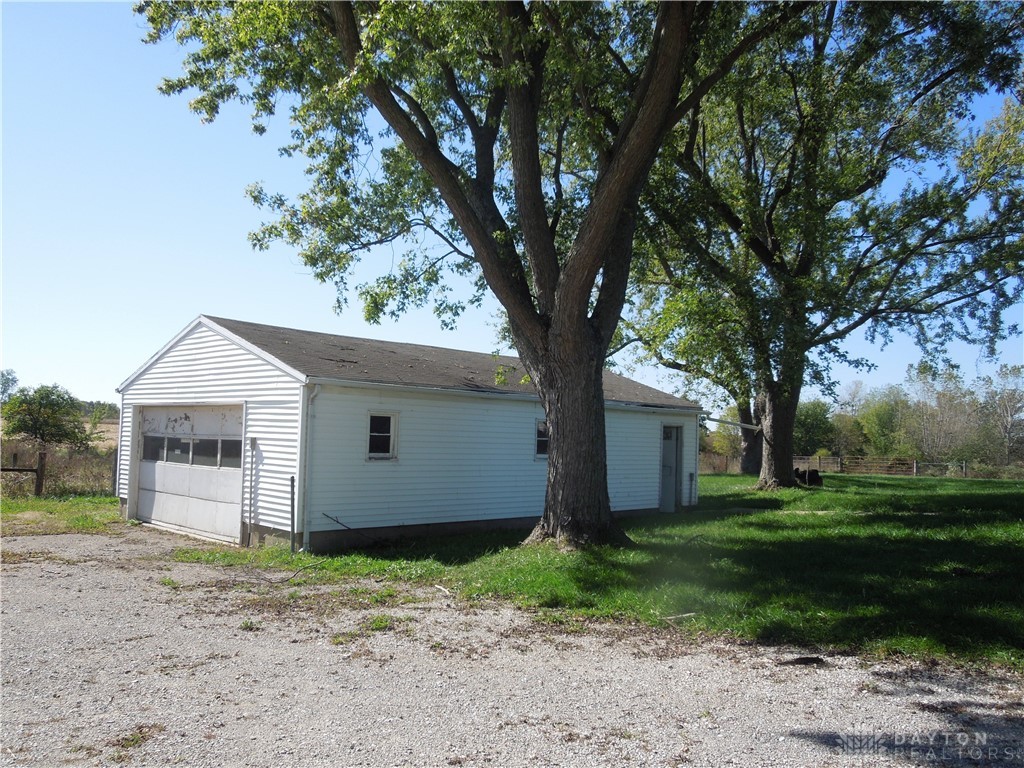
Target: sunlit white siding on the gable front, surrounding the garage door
x,y
204,368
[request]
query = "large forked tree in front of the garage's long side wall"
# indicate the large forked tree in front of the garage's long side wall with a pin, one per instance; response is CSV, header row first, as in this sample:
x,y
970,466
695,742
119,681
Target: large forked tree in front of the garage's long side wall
x,y
521,136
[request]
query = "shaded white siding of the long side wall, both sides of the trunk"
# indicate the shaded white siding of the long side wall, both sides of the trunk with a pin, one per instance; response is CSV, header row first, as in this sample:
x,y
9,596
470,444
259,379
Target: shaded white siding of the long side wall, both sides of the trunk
x,y
463,458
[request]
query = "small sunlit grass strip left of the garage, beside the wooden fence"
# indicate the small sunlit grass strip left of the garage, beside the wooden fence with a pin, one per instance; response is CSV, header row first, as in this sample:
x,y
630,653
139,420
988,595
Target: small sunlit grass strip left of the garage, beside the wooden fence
x,y
45,516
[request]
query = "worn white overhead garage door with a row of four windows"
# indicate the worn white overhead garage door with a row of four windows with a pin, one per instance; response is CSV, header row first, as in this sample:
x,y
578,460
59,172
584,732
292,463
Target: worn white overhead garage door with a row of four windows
x,y
191,471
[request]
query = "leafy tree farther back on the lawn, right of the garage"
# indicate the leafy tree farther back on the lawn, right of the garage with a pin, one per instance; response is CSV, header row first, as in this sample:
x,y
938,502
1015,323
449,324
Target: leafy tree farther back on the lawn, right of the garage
x,y
829,187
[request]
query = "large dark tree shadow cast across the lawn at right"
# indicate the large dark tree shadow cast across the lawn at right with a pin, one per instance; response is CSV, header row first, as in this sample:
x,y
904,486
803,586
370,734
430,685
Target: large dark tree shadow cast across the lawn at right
x,y
889,584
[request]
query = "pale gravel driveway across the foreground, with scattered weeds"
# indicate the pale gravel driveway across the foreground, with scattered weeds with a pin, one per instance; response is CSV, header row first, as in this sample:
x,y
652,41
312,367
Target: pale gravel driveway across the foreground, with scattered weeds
x,y
113,654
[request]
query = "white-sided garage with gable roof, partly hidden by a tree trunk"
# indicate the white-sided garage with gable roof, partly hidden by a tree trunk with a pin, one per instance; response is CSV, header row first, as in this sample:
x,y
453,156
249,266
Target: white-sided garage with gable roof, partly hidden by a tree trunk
x,y
237,431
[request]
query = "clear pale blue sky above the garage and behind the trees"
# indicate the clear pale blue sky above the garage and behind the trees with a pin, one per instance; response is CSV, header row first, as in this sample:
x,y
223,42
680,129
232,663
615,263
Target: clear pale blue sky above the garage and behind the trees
x,y
124,218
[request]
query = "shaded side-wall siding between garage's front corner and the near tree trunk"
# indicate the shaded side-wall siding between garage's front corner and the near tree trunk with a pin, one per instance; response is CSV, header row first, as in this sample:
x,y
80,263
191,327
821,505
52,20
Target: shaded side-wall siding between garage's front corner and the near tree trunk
x,y
458,459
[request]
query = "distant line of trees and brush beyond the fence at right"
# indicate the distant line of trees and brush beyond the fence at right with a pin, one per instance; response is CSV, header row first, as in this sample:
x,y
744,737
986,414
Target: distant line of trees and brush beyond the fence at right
x,y
935,416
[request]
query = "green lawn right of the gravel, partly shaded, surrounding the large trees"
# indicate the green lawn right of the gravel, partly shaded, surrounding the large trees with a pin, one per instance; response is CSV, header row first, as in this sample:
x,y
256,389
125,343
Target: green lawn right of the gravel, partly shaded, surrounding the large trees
x,y
923,568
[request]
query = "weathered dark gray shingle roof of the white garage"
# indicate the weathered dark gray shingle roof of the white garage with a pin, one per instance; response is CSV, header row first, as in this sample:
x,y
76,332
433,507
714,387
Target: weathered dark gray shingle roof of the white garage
x,y
321,356
